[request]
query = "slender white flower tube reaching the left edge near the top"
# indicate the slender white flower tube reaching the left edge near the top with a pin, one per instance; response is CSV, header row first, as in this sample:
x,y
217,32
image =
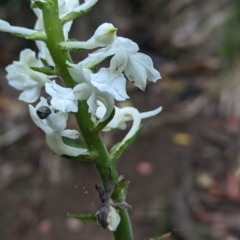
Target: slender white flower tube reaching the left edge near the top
x,y
6,27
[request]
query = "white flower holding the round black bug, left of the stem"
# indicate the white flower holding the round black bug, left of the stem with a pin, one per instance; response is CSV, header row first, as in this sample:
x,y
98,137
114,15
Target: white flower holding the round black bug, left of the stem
x,y
54,127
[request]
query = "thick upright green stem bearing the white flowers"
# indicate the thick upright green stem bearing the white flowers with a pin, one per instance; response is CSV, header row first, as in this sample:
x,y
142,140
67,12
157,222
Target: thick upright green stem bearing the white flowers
x,y
54,34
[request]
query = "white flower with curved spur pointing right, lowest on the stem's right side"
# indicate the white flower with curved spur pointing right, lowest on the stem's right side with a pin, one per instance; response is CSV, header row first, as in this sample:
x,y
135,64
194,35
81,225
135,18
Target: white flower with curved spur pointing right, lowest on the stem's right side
x,y
122,115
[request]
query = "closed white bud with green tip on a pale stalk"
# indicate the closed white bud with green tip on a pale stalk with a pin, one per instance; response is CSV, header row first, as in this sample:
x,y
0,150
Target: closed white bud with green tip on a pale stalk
x,y
103,36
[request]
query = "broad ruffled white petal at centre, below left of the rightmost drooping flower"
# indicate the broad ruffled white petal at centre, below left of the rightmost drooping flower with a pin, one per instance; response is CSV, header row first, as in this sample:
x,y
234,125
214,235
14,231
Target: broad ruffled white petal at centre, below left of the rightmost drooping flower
x,y
114,84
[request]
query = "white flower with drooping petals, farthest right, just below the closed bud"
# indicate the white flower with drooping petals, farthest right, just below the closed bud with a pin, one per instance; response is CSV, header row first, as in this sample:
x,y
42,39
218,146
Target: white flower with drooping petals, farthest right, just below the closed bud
x,y
137,67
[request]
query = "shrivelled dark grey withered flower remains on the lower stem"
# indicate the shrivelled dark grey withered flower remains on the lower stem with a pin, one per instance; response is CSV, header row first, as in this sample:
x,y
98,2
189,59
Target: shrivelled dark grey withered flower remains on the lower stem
x,y
105,197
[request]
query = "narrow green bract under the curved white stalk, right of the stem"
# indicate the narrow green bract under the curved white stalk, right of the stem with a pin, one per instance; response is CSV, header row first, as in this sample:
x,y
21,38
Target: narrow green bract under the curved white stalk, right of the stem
x,y
119,148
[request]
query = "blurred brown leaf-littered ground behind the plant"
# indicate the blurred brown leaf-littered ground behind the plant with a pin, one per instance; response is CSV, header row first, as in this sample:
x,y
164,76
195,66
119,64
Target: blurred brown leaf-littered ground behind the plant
x,y
184,168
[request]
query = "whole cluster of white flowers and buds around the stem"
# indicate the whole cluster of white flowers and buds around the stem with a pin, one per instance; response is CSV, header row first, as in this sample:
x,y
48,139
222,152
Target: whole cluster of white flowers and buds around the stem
x,y
98,86
